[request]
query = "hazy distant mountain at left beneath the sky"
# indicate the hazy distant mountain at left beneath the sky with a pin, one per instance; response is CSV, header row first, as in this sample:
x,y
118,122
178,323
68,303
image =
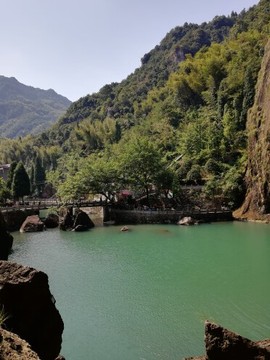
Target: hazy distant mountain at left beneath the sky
x,y
25,109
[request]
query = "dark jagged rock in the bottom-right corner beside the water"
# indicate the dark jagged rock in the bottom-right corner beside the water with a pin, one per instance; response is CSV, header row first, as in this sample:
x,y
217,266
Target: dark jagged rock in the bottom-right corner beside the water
x,y
222,344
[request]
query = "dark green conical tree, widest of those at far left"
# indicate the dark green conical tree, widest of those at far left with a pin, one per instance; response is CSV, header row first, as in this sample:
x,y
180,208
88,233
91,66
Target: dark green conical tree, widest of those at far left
x,y
21,183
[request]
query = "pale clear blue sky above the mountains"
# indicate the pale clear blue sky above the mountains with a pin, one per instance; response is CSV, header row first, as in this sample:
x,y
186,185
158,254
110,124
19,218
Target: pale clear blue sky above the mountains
x,y
76,47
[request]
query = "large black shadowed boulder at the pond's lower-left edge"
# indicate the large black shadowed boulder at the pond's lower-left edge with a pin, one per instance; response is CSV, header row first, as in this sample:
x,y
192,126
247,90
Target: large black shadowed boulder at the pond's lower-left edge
x,y
30,306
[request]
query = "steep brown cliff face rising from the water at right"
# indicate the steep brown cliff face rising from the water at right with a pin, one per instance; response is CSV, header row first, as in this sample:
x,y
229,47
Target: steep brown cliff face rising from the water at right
x,y
257,202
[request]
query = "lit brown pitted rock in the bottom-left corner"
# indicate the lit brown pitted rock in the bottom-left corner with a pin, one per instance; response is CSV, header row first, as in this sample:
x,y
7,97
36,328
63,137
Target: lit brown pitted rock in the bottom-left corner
x,y
12,347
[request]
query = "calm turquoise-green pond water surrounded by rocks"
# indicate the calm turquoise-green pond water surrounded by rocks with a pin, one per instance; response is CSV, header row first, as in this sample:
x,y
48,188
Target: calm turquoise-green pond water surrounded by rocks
x,y
145,294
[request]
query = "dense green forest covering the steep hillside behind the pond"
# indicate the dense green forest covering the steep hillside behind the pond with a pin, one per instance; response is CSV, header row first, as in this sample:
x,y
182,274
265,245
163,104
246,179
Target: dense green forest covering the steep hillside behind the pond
x,y
179,119
